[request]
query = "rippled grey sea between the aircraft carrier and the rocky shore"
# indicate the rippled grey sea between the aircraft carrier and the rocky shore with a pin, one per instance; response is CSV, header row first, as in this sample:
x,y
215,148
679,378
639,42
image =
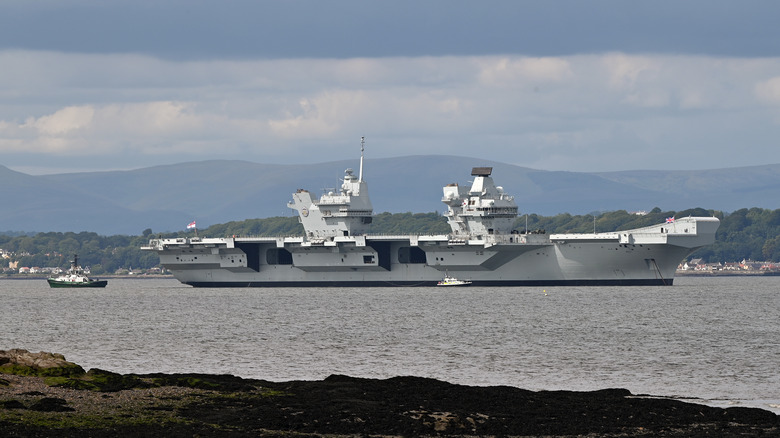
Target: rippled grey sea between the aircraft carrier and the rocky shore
x,y
714,340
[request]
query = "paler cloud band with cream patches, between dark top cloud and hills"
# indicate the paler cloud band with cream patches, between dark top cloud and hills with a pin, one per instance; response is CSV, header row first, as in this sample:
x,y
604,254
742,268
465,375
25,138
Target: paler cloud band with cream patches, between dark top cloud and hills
x,y
589,112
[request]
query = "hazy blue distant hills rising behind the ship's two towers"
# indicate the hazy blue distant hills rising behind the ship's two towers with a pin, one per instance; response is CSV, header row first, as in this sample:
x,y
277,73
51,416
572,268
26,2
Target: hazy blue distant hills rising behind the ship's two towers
x,y
166,198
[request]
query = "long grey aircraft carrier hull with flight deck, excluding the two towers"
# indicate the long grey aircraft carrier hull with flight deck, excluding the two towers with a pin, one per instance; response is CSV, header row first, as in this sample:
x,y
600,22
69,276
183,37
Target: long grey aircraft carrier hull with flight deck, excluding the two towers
x,y
646,256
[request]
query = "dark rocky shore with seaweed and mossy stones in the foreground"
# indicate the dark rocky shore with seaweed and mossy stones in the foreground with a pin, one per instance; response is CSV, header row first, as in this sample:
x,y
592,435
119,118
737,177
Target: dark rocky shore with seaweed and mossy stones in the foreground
x,y
42,394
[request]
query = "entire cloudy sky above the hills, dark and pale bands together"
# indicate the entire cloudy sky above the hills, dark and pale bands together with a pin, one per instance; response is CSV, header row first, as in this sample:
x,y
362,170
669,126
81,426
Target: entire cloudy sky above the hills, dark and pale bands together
x,y
556,84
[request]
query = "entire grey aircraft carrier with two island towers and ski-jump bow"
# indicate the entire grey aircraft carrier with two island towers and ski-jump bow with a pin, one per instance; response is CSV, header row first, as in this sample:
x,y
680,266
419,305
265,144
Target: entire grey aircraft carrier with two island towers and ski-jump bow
x,y
336,249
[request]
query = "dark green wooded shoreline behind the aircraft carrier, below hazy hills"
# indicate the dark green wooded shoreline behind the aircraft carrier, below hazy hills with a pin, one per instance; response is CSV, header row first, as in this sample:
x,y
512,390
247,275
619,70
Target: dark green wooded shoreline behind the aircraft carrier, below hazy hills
x,y
752,234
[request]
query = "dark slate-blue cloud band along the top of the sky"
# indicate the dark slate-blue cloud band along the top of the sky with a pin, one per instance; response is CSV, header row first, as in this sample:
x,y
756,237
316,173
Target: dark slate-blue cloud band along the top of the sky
x,y
247,29
